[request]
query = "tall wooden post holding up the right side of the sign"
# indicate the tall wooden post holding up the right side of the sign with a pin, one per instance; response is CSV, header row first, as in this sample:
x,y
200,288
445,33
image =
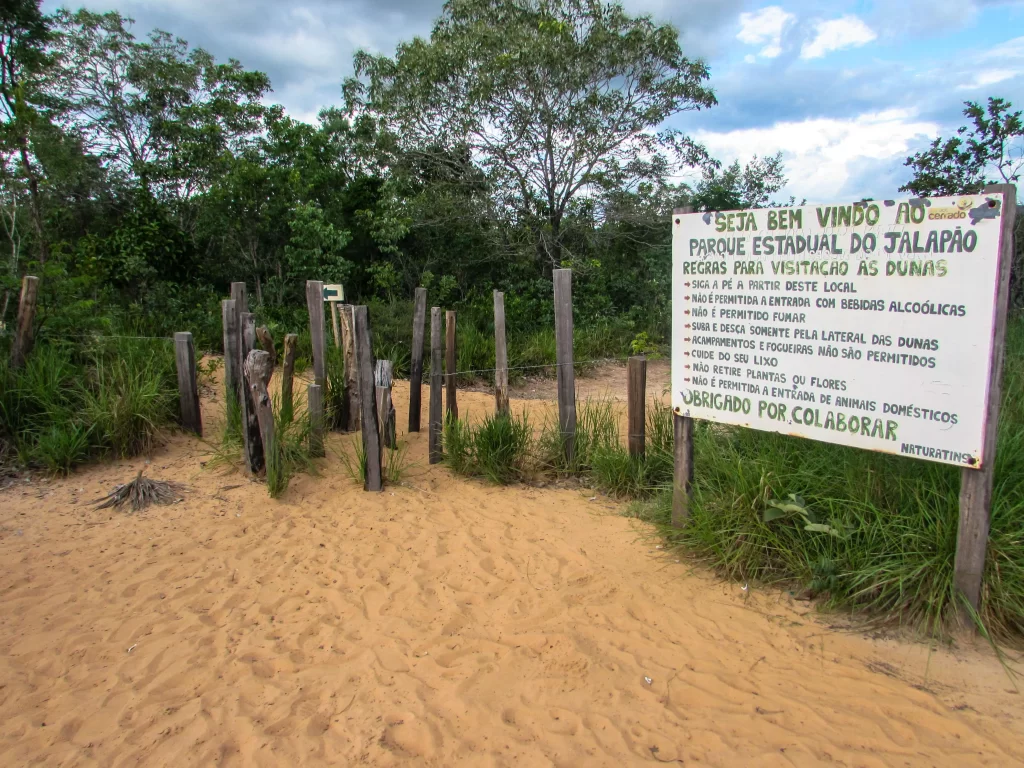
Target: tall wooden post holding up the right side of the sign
x,y
976,485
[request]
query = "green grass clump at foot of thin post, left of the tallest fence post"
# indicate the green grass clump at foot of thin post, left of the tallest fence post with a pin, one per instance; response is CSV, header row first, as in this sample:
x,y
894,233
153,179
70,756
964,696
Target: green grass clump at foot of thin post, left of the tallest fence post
x,y
498,450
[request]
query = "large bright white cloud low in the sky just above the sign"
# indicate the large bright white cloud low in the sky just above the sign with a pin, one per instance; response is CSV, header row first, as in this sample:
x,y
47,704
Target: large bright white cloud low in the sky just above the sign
x,y
826,158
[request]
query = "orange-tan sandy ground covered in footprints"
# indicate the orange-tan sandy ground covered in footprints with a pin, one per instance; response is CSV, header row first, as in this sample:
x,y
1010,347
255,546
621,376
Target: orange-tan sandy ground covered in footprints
x,y
442,623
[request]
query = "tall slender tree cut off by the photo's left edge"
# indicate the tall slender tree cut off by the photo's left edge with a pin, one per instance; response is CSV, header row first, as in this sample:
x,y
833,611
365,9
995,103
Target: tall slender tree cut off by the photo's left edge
x,y
24,36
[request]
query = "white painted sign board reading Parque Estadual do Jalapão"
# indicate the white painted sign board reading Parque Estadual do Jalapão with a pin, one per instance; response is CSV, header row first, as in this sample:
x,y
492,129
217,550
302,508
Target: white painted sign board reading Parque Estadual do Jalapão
x,y
868,325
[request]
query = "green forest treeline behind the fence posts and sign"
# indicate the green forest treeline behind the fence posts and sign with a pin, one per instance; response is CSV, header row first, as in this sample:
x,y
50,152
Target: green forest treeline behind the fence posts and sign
x,y
140,176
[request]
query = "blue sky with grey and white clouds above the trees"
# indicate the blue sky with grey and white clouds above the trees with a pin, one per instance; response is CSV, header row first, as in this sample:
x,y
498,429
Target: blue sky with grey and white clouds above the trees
x,y
846,91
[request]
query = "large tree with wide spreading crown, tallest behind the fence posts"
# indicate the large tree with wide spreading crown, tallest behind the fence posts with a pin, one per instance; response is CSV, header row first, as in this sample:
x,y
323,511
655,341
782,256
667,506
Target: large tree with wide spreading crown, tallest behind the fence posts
x,y
557,99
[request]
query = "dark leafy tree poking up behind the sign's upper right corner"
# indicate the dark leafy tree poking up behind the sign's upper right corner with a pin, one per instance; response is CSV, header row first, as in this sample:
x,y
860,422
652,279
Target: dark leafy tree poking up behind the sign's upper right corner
x,y
989,152
